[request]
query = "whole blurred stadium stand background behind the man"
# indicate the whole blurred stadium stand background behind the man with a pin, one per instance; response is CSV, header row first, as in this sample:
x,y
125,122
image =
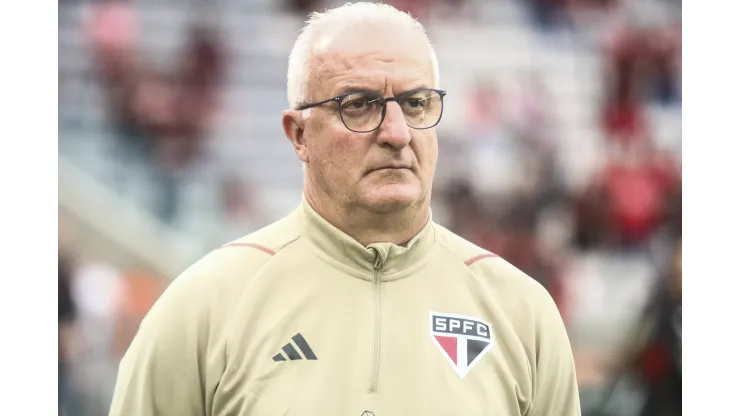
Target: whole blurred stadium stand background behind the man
x,y
560,150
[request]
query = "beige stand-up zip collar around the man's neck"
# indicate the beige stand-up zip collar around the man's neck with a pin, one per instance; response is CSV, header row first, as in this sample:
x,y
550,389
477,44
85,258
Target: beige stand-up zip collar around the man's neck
x,y
344,252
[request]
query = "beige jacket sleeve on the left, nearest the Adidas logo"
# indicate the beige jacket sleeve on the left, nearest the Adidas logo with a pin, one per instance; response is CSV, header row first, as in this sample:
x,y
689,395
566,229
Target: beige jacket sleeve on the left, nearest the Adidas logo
x,y
161,373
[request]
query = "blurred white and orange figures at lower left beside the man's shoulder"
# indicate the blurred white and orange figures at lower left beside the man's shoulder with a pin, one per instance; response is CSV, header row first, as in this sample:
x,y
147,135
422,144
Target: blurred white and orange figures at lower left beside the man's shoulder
x,y
100,308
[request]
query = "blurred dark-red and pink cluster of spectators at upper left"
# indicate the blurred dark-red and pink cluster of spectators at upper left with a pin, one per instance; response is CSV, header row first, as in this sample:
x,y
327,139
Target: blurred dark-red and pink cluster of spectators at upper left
x,y
160,117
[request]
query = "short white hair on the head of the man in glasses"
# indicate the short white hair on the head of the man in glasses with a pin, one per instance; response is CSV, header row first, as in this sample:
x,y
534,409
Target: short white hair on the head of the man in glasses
x,y
320,29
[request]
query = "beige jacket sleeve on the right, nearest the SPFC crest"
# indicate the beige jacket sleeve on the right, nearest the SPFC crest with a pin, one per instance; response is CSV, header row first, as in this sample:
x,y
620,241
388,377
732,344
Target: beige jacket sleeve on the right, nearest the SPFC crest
x,y
555,387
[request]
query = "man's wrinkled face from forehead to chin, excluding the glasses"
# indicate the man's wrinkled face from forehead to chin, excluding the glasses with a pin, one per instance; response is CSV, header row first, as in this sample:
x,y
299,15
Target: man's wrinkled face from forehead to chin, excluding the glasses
x,y
387,169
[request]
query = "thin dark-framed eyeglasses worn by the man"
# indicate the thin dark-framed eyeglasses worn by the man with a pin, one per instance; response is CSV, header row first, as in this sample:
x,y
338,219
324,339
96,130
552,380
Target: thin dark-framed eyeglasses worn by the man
x,y
364,111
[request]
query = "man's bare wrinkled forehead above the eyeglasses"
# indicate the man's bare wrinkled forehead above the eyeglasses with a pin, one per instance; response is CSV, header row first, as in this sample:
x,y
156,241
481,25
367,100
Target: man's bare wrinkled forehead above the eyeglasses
x,y
373,60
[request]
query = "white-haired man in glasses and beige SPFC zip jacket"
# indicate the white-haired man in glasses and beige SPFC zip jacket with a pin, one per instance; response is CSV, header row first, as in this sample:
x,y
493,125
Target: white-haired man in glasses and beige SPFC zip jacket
x,y
356,303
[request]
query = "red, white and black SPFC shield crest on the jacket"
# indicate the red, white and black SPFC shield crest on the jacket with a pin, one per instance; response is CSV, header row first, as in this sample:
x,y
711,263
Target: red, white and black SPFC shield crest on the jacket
x,y
463,340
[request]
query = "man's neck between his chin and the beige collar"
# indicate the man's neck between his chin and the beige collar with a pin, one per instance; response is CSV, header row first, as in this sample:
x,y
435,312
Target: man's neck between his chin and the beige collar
x,y
366,226
